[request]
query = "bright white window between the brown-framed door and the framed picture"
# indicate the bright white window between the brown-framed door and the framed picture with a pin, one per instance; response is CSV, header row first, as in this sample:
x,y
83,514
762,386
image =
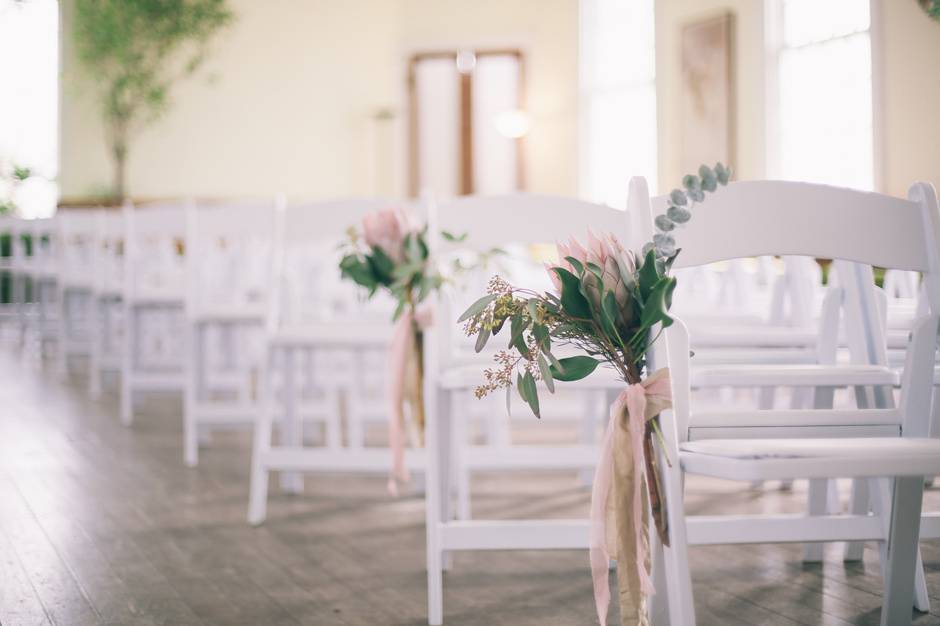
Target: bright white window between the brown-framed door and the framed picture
x,y
618,97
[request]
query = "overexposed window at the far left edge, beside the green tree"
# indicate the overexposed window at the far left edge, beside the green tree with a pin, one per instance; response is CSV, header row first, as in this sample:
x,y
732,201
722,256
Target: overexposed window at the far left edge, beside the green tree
x,y
29,65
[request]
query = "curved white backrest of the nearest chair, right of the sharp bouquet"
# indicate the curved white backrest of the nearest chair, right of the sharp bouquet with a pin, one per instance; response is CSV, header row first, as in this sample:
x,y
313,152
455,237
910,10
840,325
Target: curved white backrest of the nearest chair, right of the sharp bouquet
x,y
789,218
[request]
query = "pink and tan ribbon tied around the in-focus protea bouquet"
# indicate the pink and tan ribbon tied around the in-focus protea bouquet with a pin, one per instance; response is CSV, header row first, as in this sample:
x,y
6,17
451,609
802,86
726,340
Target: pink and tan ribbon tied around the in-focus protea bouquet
x,y
637,403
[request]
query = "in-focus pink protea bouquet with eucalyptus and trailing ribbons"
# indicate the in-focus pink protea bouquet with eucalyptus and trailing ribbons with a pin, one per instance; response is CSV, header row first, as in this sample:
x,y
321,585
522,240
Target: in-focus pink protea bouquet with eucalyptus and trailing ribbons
x,y
609,301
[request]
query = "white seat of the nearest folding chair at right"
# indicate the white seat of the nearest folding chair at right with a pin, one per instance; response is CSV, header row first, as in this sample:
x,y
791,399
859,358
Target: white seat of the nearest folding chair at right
x,y
768,459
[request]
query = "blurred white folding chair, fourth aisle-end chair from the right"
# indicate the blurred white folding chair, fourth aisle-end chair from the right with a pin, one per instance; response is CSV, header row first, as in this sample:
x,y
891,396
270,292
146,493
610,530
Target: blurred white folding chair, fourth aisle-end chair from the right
x,y
229,285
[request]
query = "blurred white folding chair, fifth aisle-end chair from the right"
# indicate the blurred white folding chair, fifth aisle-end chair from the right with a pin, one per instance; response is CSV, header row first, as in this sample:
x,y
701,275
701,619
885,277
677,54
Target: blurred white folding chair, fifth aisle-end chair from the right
x,y
153,302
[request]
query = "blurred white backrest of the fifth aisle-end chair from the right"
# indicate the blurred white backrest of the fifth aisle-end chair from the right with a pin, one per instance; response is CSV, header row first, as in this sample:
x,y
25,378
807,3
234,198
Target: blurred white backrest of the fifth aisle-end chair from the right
x,y
154,252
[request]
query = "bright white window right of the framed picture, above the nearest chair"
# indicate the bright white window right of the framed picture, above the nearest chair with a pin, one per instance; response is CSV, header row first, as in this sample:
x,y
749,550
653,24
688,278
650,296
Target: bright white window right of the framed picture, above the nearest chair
x,y
821,113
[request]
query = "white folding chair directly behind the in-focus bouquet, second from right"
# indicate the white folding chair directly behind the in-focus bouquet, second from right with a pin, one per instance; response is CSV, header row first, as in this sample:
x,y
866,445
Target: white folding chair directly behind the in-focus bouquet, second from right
x,y
451,373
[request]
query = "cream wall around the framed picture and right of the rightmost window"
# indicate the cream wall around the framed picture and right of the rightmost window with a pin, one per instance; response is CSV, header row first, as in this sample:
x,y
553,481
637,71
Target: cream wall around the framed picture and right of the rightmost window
x,y
910,49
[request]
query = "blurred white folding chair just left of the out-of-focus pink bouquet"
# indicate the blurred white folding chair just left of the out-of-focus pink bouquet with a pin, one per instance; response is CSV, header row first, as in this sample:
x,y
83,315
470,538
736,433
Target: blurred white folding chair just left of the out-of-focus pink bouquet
x,y
315,341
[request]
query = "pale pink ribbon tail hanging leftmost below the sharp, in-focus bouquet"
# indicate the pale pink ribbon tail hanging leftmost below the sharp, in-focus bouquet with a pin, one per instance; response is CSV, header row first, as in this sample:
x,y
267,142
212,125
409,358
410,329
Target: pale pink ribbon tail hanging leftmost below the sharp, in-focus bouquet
x,y
600,490
